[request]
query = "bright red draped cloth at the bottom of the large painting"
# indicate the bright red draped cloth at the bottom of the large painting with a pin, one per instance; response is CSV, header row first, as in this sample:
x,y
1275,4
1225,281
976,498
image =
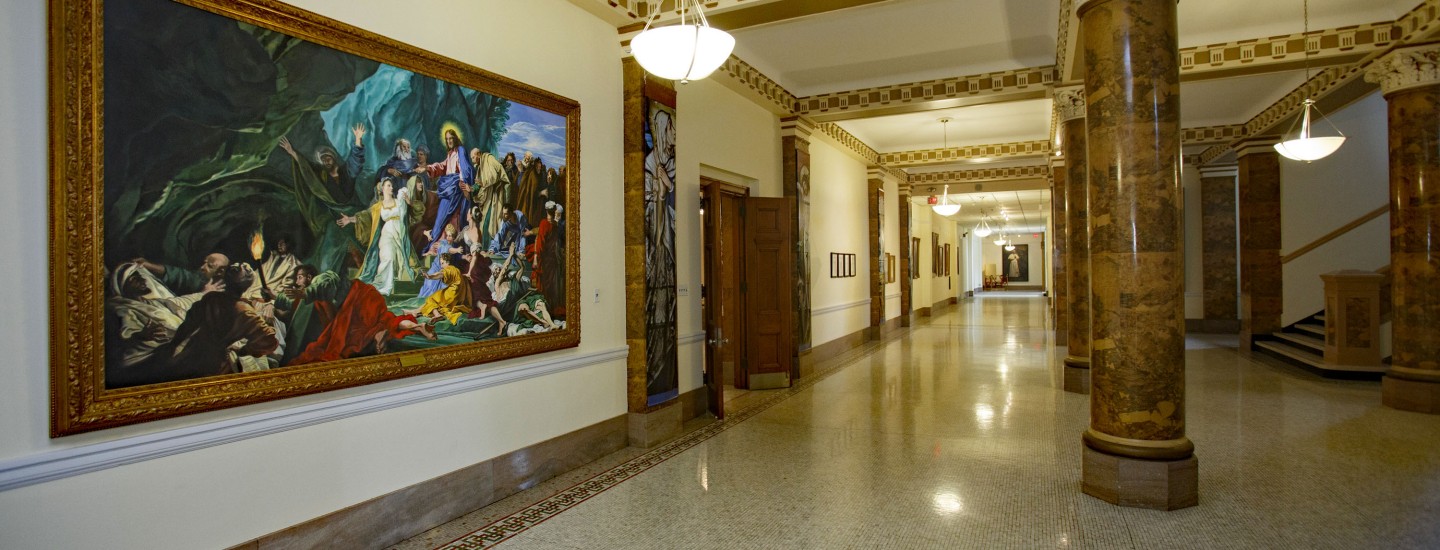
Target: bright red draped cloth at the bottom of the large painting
x,y
361,317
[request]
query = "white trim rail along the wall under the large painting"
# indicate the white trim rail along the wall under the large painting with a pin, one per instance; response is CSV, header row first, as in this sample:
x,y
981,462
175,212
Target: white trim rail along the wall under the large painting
x,y
89,459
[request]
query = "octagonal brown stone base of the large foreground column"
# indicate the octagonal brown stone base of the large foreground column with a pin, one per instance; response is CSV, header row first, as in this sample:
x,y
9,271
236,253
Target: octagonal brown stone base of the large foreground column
x,y
1141,484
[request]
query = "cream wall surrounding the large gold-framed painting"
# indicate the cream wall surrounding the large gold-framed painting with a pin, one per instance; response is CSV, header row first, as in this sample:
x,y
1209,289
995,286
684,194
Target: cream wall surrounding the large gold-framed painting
x,y
234,493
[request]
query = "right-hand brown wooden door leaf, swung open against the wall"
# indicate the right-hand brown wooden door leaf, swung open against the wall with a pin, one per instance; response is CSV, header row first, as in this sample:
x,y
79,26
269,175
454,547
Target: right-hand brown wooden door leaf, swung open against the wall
x,y
768,292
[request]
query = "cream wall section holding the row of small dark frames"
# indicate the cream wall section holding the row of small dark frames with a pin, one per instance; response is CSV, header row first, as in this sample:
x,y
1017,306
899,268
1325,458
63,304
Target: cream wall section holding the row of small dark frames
x,y
837,224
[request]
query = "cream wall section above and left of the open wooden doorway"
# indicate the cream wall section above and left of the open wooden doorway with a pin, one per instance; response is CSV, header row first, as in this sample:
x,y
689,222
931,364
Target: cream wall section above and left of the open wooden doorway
x,y
725,137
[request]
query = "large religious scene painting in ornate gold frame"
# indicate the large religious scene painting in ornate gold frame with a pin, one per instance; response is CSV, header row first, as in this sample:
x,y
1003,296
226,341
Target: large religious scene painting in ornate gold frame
x,y
251,202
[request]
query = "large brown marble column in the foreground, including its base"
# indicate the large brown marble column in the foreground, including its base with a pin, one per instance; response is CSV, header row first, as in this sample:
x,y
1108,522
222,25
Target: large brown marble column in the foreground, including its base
x,y
1135,451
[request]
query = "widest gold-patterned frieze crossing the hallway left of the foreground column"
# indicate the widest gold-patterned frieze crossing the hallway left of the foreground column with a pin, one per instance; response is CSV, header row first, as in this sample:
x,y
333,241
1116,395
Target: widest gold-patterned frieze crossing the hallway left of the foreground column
x,y
994,87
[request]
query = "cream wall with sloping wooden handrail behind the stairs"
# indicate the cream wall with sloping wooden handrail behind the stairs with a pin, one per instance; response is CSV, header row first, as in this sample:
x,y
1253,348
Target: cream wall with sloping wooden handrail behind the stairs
x,y
1326,195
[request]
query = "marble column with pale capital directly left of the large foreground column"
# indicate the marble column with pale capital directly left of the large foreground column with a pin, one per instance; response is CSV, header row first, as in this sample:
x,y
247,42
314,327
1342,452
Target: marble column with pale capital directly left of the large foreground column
x,y
1072,109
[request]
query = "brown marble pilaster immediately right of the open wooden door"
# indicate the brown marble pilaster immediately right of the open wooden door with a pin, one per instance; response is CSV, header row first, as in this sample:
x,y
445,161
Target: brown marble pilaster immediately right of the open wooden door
x,y
796,182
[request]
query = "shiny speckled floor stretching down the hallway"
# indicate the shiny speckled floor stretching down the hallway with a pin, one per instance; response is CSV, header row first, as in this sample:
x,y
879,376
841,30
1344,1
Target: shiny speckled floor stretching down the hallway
x,y
957,436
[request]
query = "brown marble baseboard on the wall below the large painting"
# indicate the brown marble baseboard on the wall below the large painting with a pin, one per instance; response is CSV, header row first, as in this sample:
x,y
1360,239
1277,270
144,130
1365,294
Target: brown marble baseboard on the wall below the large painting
x,y
402,515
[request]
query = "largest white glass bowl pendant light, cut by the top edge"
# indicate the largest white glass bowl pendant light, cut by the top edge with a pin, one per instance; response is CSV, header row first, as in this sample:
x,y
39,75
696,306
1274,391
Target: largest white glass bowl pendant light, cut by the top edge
x,y
683,53
